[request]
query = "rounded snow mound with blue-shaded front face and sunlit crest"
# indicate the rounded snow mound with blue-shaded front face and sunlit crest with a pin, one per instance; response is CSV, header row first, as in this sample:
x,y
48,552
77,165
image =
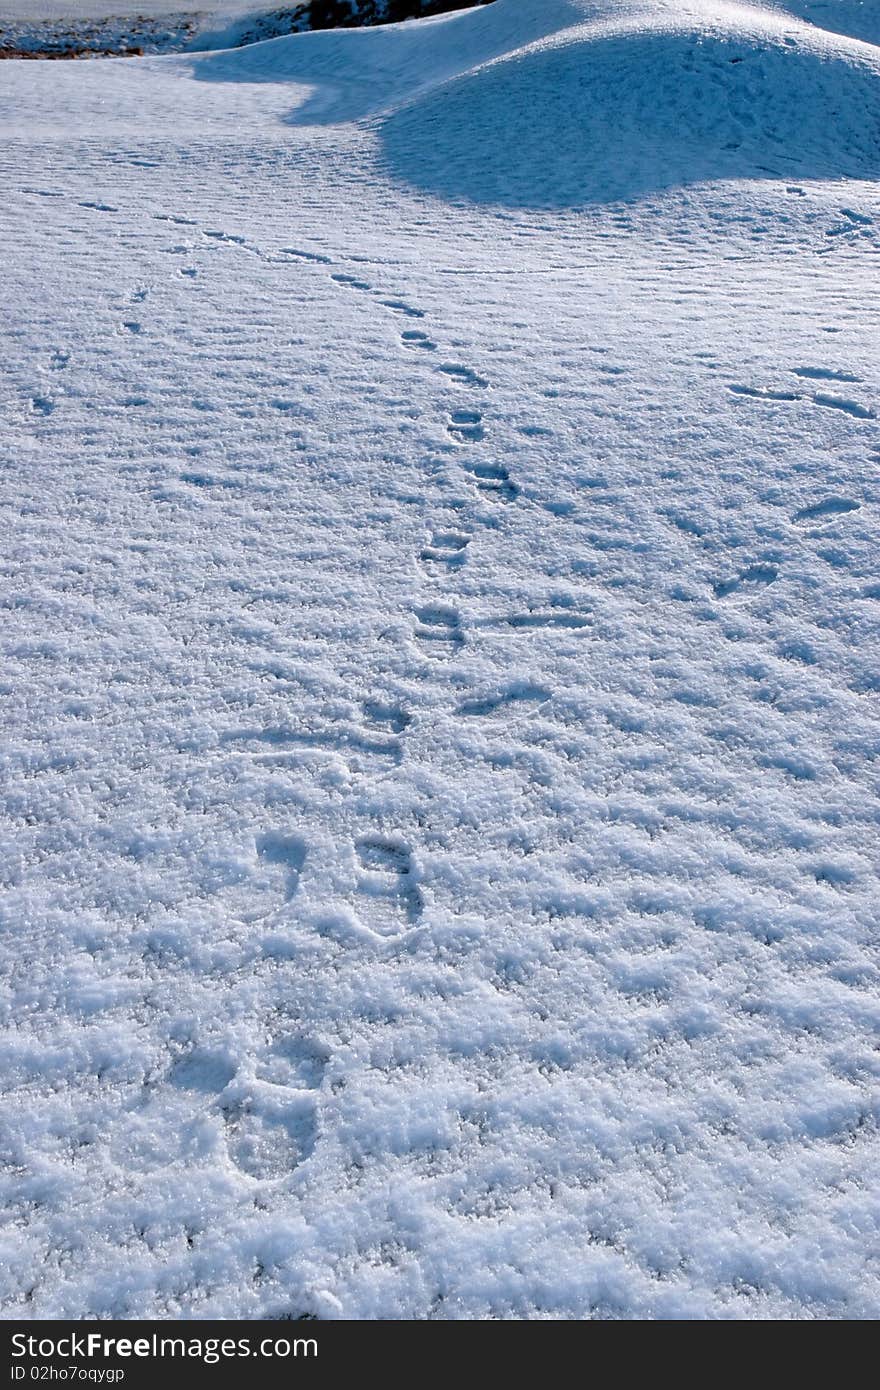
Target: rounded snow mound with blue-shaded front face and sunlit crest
x,y
596,117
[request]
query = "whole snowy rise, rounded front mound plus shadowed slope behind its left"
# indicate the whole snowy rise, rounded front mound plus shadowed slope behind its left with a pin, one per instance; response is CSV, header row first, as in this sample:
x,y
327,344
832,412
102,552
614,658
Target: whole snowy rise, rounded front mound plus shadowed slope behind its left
x,y
562,102
